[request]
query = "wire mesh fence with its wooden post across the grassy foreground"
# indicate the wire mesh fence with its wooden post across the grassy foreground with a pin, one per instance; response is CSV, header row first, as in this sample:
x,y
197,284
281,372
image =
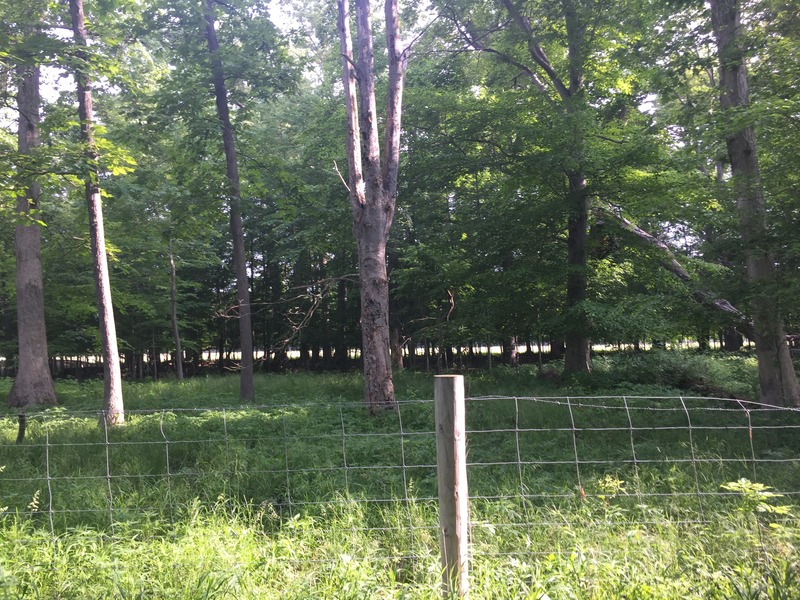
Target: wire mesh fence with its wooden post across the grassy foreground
x,y
562,491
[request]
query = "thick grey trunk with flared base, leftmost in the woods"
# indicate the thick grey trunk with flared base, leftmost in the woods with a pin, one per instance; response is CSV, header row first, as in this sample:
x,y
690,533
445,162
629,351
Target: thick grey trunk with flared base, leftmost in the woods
x,y
33,383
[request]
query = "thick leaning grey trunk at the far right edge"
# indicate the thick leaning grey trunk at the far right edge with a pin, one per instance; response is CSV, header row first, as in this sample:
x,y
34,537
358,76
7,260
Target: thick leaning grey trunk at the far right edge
x,y
776,374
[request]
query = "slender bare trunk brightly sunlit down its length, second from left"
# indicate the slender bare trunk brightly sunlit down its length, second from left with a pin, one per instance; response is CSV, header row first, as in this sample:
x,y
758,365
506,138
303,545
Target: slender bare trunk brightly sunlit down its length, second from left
x,y
113,408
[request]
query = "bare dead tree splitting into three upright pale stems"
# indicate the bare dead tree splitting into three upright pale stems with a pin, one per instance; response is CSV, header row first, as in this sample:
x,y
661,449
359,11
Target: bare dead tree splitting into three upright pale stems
x,y
373,183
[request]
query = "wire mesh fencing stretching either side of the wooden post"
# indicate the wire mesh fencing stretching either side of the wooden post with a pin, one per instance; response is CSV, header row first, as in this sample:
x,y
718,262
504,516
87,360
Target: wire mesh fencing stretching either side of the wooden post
x,y
539,469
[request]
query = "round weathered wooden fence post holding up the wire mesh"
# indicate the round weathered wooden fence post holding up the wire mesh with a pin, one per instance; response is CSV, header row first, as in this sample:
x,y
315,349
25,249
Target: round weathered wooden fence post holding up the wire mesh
x,y
451,461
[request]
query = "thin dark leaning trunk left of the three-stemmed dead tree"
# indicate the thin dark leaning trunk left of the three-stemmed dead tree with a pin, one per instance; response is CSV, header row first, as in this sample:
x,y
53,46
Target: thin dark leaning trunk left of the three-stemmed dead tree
x,y
246,389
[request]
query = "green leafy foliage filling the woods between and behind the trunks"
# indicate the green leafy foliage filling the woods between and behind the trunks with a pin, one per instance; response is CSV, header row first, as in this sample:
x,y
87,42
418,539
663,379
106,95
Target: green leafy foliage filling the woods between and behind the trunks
x,y
478,252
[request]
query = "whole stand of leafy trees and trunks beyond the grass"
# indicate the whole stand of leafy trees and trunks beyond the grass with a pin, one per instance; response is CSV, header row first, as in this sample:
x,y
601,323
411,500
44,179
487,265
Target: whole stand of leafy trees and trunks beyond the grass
x,y
238,186
